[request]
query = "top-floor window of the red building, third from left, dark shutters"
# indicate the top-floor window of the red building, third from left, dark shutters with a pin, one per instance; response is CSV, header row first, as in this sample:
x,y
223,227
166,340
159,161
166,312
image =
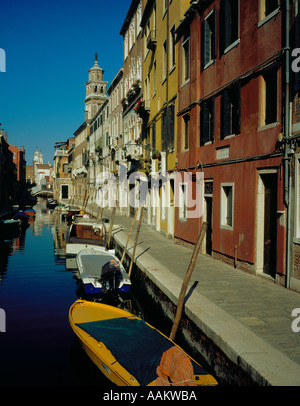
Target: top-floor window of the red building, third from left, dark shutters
x,y
229,24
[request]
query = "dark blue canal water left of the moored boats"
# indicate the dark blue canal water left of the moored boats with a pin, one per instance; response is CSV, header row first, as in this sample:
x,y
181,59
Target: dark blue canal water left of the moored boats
x,y
36,292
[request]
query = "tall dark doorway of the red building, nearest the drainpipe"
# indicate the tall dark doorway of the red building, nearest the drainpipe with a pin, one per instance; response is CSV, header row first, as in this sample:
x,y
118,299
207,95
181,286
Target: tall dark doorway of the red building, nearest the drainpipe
x,y
270,224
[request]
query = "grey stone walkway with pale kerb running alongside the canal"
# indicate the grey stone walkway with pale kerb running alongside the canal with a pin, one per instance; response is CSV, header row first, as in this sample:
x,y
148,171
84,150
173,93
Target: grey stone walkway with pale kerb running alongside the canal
x,y
248,317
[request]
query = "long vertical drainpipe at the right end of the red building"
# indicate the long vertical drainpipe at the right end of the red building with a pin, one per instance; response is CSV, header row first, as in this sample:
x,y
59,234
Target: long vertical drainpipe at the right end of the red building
x,y
287,149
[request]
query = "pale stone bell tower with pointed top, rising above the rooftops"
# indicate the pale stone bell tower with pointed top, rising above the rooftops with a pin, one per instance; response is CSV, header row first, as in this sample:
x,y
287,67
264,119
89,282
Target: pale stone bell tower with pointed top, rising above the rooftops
x,y
95,90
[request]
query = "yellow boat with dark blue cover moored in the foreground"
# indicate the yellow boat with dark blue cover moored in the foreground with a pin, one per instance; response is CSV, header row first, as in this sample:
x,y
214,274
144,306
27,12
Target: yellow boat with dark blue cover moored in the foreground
x,y
129,351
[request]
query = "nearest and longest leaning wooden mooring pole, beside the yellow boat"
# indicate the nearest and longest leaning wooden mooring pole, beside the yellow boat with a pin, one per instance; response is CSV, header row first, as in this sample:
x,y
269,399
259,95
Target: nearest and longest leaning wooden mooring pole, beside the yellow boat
x,y
186,282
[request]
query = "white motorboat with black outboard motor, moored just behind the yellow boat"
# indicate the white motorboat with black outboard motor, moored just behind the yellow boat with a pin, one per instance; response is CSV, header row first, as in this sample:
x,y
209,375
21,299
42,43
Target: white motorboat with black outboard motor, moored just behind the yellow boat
x,y
101,272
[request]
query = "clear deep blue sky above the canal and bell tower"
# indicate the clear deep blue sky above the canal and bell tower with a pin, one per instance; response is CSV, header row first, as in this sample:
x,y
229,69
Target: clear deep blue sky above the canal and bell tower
x,y
49,47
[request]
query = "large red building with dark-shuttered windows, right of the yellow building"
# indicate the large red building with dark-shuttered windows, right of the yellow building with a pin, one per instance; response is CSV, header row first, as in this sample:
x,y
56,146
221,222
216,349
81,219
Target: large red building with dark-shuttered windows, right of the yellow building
x,y
231,104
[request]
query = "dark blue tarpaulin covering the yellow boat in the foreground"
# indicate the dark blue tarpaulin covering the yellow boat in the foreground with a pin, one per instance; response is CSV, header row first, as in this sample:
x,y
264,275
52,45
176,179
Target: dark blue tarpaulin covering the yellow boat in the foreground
x,y
134,344
